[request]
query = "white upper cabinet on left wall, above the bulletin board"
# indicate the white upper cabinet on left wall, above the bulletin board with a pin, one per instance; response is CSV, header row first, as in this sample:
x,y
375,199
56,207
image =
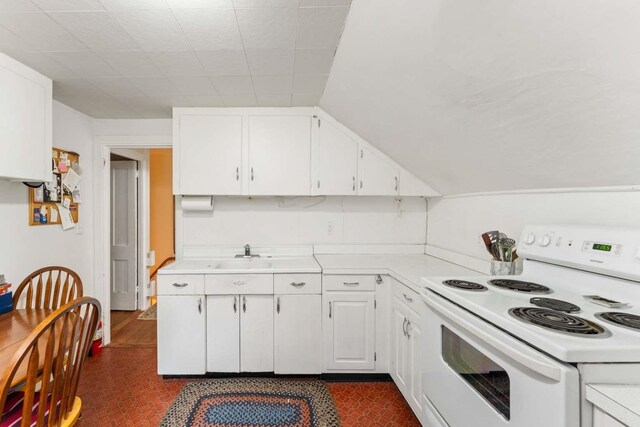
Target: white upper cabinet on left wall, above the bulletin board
x,y
25,122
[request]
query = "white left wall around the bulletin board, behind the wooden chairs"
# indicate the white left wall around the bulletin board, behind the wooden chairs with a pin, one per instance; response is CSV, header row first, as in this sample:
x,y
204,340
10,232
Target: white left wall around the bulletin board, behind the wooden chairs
x,y
24,248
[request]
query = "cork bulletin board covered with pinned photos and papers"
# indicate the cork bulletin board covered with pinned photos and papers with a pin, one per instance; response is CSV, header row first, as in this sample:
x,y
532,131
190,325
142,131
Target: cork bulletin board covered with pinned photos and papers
x,y
60,197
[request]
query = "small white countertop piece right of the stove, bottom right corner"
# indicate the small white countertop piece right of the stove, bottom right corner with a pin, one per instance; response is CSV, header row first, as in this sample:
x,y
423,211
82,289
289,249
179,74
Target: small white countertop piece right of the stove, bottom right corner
x,y
618,400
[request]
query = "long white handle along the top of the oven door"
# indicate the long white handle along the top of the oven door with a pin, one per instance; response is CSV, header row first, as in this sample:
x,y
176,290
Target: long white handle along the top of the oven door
x,y
534,362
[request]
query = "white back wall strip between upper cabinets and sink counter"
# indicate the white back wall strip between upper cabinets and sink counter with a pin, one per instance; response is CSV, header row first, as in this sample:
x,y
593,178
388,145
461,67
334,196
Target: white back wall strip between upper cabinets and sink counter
x,y
281,221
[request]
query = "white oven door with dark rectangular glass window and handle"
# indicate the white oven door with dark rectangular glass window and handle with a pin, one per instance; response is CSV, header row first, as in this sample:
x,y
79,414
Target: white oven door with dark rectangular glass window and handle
x,y
477,375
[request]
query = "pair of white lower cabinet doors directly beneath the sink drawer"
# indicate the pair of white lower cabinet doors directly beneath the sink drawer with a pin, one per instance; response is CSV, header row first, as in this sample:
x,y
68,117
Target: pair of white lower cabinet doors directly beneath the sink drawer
x,y
239,333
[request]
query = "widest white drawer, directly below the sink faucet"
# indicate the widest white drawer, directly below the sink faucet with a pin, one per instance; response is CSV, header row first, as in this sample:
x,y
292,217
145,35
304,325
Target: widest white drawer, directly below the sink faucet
x,y
230,284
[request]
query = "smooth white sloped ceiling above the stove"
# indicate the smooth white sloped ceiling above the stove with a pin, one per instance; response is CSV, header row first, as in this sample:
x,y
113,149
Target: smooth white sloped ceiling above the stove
x,y
495,95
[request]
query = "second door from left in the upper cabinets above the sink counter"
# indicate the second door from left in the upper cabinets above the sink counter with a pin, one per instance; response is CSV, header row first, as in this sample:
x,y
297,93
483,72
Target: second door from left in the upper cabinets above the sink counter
x,y
279,155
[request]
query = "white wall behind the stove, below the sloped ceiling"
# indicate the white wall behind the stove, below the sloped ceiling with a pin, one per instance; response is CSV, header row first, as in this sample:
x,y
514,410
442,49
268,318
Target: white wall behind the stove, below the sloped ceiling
x,y
456,223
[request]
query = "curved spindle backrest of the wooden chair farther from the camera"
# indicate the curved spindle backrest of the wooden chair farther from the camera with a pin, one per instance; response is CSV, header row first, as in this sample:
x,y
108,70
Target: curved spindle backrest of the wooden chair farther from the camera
x,y
49,287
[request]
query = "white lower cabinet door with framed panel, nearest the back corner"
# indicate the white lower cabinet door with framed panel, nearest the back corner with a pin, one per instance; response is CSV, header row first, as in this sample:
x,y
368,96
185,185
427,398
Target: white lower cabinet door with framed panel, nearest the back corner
x,y
349,330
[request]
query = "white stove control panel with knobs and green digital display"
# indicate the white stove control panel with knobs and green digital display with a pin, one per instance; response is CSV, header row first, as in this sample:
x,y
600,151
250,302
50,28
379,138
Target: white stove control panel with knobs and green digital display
x,y
604,250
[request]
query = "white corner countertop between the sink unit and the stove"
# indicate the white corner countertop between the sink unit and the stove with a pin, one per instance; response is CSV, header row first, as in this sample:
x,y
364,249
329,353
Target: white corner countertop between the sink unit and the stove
x,y
407,268
